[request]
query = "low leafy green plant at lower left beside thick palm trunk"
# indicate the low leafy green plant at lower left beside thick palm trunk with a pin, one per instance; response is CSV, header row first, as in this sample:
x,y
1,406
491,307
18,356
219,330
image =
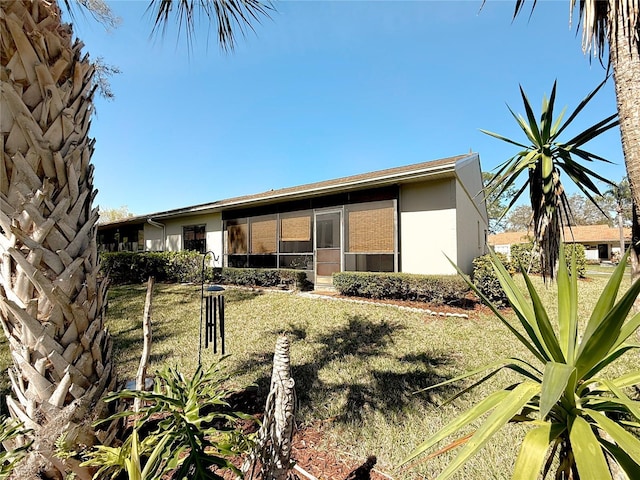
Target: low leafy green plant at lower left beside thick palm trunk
x,y
177,430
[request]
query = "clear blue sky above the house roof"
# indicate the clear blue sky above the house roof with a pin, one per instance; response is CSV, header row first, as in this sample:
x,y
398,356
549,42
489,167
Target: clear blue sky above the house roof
x,y
324,90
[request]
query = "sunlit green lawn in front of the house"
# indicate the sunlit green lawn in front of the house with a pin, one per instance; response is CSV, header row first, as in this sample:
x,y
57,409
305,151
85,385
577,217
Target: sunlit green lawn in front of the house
x,y
357,367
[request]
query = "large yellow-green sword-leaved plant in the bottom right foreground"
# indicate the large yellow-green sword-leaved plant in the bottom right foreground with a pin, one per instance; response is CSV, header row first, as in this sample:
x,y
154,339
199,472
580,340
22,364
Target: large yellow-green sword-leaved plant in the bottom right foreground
x,y
576,414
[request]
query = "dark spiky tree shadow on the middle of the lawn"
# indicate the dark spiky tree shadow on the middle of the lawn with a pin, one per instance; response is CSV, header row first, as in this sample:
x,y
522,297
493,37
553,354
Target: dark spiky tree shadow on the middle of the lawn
x,y
323,380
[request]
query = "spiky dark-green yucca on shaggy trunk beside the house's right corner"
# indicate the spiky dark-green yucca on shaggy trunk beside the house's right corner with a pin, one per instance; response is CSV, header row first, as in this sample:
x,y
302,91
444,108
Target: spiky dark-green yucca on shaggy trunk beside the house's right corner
x,y
543,160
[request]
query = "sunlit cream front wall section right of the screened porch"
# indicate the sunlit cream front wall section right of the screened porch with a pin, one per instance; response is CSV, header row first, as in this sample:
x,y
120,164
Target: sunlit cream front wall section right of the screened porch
x,y
427,227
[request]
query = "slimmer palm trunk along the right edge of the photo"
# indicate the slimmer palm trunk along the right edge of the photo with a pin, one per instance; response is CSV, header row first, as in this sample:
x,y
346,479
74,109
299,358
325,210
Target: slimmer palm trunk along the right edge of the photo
x,y
624,53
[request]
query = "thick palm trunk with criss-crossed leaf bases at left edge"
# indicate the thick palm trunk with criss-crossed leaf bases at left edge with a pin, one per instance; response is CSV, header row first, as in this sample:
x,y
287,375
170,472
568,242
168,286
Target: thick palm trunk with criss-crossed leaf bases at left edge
x,y
51,298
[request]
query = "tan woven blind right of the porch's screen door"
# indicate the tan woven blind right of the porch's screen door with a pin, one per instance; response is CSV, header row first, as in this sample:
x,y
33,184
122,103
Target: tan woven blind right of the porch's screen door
x,y
371,230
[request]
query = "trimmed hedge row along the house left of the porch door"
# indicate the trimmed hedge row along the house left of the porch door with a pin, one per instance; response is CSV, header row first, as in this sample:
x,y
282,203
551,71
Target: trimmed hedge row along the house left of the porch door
x,y
186,267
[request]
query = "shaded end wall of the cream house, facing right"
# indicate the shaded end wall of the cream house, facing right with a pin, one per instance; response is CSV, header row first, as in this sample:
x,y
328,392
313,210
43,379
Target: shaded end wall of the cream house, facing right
x,y
471,218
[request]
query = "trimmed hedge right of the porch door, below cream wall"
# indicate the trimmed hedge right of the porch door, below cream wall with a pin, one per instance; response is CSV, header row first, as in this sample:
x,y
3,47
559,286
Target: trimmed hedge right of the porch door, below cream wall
x,y
436,289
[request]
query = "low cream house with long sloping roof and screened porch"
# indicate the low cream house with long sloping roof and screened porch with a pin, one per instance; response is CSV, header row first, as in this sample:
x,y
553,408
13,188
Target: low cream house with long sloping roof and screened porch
x,y
403,219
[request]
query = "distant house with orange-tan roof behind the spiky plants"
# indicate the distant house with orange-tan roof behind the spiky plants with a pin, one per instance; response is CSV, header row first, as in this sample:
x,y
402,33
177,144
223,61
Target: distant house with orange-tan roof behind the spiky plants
x,y
601,242
